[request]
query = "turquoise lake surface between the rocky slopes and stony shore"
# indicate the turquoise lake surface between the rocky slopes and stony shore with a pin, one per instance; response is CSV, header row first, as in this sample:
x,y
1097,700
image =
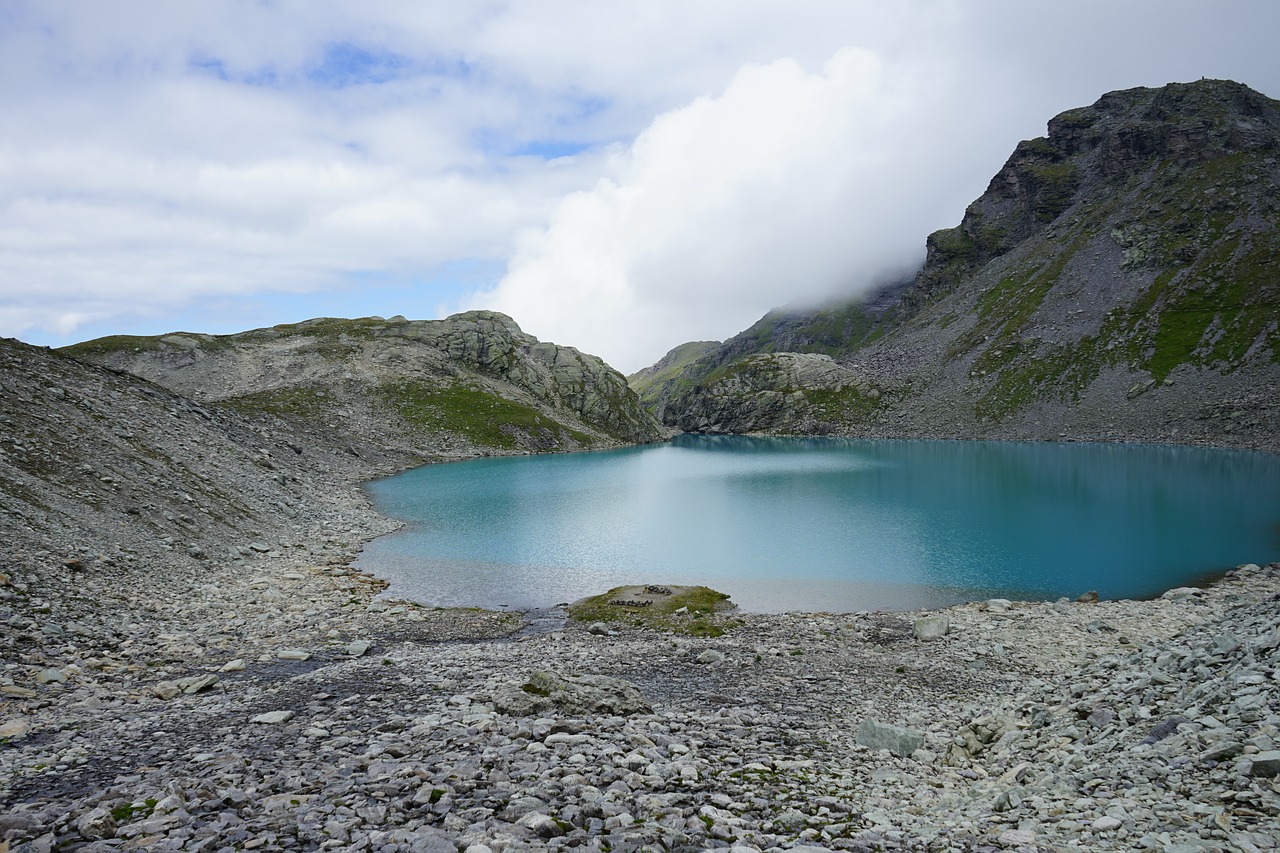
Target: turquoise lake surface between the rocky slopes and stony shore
x,y
833,526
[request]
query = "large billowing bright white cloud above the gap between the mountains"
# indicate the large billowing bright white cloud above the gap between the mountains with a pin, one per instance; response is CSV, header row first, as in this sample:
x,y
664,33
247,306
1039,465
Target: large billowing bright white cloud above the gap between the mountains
x,y
789,186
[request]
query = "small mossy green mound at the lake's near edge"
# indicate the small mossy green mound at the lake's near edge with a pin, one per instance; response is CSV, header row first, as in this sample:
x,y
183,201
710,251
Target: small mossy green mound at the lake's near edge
x,y
697,612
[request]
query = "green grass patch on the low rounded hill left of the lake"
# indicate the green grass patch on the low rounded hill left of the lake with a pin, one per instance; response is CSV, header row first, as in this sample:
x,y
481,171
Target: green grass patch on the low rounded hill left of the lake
x,y
479,416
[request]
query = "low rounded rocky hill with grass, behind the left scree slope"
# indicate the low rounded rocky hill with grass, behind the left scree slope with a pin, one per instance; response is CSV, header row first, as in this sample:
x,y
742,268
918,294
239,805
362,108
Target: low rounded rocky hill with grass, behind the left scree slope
x,y
467,385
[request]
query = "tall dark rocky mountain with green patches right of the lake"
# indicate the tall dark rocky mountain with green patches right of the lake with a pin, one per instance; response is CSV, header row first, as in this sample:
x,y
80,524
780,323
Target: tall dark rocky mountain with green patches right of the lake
x,y
1117,281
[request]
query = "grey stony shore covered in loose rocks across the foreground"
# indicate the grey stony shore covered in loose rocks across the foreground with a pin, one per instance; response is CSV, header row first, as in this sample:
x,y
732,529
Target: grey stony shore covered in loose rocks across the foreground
x,y
280,704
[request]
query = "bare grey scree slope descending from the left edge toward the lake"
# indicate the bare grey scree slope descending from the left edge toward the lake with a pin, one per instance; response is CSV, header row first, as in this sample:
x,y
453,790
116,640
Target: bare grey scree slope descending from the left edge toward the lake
x,y
112,475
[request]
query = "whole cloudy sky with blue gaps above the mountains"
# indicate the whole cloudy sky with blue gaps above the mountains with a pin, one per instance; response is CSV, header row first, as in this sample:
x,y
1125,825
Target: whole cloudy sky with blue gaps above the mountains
x,y
619,177
